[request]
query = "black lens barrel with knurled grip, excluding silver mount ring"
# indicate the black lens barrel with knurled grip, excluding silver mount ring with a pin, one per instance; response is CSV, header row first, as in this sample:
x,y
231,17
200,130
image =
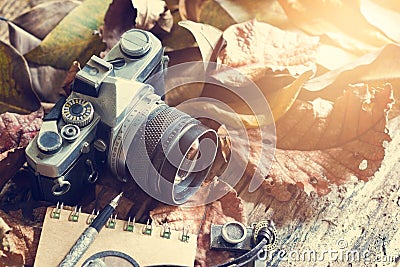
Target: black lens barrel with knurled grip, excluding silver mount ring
x,y
180,150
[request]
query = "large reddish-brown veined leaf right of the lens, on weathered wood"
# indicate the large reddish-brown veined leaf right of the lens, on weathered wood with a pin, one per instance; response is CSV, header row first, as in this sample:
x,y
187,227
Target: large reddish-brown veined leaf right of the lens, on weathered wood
x,y
319,143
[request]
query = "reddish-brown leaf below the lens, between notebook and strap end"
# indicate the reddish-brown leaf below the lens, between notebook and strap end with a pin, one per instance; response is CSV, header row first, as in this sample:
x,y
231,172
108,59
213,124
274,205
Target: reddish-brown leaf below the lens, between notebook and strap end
x,y
200,218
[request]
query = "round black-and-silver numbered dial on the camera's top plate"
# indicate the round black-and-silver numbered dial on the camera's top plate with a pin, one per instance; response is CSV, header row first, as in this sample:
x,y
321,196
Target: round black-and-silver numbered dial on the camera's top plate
x,y
78,112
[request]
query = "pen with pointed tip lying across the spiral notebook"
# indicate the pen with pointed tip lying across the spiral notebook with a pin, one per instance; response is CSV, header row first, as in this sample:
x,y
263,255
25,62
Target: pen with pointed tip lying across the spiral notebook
x,y
89,235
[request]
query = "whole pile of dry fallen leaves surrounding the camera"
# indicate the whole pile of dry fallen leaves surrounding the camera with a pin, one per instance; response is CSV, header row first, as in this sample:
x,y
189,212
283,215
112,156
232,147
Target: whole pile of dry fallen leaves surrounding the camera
x,y
327,69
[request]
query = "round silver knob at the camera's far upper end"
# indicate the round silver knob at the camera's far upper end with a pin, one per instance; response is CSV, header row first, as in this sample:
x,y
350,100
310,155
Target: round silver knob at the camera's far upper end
x,y
135,43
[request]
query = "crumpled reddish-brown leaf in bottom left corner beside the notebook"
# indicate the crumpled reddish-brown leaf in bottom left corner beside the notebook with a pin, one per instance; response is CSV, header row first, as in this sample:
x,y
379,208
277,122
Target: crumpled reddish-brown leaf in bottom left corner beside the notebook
x,y
21,243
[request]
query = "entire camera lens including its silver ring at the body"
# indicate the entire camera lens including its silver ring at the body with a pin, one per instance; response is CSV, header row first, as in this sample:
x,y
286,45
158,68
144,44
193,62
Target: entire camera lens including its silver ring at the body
x,y
166,151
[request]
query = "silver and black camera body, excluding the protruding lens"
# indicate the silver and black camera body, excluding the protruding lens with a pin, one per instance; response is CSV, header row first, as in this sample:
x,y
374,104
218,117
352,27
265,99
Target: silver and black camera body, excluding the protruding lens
x,y
80,136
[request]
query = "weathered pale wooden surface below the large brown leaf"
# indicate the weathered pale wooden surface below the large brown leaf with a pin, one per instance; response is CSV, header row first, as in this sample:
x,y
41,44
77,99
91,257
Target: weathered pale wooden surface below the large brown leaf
x,y
354,219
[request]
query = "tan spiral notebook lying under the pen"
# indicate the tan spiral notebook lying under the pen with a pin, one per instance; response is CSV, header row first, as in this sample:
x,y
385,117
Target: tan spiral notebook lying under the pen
x,y
147,244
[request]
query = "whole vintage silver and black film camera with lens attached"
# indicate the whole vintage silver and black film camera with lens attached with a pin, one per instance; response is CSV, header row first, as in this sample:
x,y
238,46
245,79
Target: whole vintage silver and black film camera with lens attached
x,y
114,119
